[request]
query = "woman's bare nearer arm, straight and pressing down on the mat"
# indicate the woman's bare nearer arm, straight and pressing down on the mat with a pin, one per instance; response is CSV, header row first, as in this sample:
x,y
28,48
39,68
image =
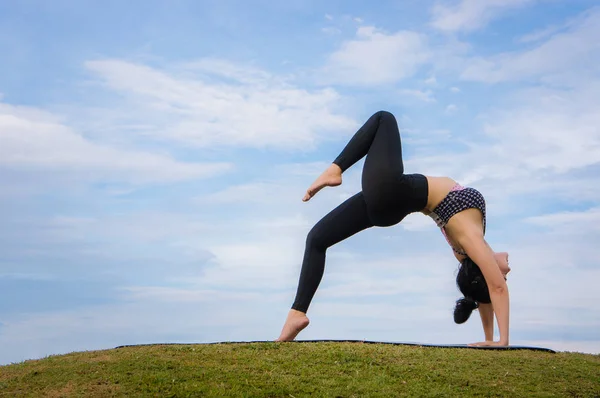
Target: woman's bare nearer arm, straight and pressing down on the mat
x,y
477,249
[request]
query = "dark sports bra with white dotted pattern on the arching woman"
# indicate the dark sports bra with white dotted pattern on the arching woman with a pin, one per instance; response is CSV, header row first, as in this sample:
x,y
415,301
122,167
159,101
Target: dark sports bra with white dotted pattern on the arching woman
x,y
458,199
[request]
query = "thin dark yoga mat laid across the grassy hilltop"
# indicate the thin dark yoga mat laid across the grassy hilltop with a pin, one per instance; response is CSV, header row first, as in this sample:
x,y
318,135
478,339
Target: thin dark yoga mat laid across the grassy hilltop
x,y
512,347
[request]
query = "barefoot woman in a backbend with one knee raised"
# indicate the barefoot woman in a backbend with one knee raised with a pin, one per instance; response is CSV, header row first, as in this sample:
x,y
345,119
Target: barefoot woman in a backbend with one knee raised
x,y
388,195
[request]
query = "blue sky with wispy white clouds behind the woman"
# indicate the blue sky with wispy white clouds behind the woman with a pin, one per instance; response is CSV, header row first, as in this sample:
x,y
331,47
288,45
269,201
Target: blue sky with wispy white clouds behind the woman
x,y
153,157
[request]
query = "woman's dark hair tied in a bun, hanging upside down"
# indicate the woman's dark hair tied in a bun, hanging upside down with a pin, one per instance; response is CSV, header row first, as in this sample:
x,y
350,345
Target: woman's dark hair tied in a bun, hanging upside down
x,y
471,283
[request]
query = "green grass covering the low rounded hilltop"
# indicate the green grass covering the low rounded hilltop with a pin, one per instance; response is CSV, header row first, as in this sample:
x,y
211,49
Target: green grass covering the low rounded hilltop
x,y
301,370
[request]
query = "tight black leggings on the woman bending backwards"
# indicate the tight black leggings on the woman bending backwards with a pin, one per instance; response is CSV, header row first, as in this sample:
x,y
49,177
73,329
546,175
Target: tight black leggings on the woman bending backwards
x,y
387,196
